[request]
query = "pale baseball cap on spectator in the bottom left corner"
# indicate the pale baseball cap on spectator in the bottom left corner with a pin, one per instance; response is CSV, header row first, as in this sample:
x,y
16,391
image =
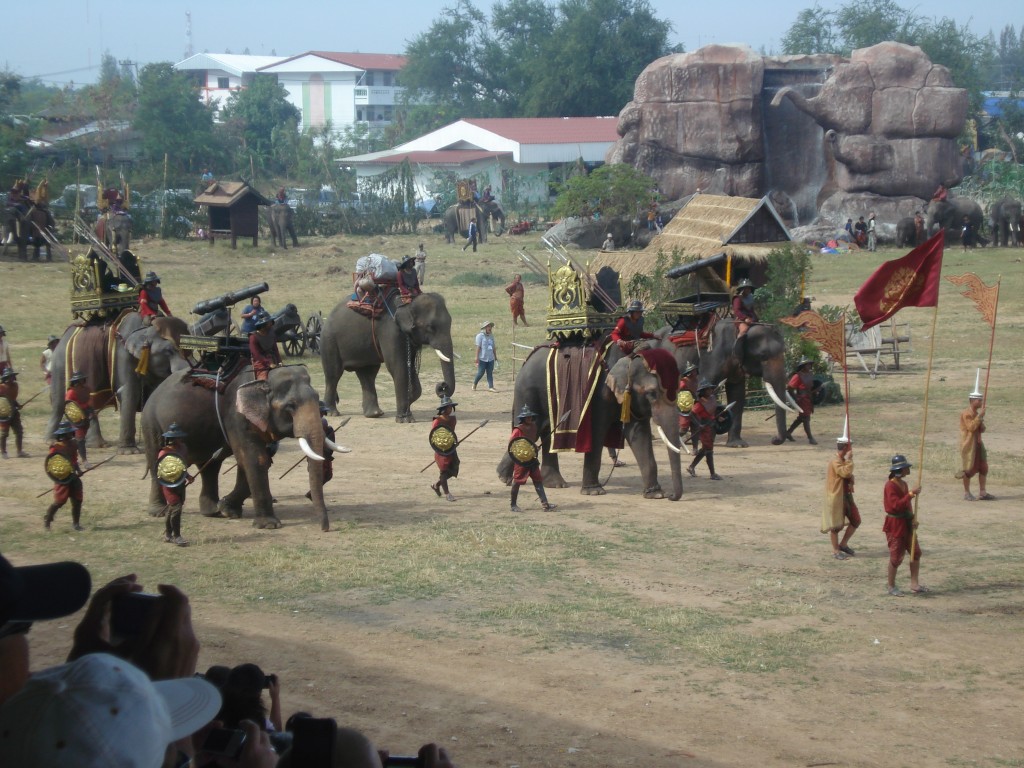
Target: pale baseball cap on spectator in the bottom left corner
x,y
100,712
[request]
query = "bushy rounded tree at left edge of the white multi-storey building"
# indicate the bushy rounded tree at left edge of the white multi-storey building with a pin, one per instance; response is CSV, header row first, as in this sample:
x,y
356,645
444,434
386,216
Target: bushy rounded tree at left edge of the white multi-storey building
x,y
173,119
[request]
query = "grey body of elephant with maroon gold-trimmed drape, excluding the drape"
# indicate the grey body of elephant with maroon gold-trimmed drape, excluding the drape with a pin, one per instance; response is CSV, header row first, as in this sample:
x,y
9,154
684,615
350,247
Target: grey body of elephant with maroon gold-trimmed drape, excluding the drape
x,y
653,409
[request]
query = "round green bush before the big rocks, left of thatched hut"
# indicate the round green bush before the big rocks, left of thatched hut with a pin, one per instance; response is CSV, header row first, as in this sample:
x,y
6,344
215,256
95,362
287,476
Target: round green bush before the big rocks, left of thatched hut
x,y
611,191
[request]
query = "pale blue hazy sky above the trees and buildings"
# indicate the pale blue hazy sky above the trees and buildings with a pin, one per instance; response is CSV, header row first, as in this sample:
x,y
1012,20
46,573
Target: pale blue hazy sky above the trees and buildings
x,y
72,35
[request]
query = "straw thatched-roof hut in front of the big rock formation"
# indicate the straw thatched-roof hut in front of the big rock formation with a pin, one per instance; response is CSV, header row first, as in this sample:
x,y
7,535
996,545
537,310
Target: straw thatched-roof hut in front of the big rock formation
x,y
746,229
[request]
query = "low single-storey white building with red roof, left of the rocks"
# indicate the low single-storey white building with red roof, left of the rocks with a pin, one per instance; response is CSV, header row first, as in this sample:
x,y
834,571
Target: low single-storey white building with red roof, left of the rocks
x,y
499,152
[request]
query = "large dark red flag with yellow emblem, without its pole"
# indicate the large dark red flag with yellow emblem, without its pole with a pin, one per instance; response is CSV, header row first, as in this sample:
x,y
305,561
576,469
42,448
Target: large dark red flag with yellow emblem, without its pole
x,y
911,281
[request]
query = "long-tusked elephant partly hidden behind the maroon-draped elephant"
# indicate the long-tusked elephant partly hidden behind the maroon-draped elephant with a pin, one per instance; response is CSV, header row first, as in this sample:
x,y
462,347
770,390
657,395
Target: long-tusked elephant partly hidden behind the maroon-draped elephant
x,y
763,355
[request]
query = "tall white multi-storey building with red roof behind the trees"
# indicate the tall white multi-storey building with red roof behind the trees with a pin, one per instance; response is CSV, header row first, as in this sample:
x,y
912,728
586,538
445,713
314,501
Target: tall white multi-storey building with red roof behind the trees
x,y
343,89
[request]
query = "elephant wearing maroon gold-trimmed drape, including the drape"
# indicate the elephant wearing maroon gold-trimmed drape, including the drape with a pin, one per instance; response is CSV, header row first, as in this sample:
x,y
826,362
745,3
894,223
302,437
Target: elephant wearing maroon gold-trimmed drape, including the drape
x,y
589,416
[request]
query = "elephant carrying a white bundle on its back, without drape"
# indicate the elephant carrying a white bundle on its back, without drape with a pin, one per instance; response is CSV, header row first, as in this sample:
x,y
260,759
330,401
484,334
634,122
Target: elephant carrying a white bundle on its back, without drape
x,y
352,342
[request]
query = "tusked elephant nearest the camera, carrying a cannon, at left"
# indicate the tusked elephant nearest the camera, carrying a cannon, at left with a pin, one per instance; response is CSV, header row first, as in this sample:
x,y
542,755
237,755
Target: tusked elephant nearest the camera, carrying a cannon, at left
x,y
243,421
